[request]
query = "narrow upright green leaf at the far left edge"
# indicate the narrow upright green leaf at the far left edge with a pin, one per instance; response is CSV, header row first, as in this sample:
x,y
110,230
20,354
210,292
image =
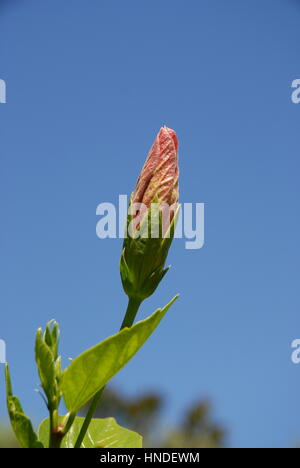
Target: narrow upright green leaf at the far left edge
x,y
21,424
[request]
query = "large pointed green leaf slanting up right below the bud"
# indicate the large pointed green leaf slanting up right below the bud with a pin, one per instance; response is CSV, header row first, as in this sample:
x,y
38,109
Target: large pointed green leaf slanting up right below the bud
x,y
90,371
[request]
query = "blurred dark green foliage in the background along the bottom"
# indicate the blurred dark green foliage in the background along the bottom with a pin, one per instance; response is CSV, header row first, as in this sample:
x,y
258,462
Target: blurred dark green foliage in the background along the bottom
x,y
144,414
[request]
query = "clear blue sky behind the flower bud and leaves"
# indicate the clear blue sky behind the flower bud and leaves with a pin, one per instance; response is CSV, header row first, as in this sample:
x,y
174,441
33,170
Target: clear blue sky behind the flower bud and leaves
x,y
88,86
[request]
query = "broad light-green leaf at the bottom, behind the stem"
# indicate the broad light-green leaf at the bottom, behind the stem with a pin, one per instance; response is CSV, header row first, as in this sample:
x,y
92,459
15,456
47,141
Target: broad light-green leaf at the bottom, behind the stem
x,y
102,433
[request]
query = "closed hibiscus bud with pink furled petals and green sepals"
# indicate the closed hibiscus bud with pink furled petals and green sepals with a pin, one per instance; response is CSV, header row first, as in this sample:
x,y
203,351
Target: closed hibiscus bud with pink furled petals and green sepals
x,y
151,219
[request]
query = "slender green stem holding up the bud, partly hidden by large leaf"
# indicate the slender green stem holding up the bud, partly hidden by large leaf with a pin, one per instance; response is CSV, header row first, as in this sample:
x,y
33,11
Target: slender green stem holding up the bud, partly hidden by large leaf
x,y
132,310
